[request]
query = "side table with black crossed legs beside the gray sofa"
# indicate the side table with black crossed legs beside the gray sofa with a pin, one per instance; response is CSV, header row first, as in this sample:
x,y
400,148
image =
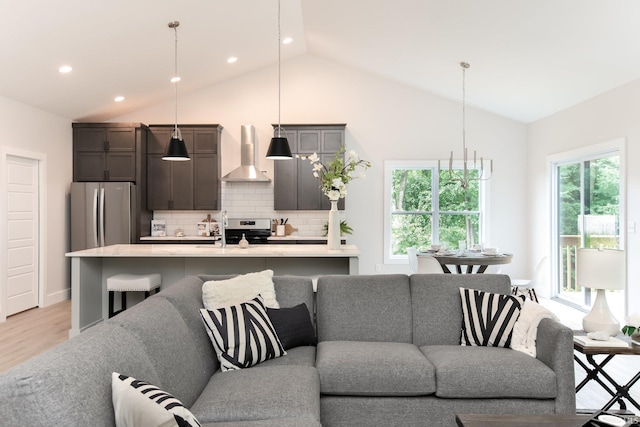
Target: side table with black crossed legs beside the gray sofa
x,y
596,370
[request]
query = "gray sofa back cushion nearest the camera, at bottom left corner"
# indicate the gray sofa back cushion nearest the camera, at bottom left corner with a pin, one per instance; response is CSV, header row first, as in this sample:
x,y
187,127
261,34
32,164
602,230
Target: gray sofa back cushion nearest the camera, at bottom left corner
x,y
70,385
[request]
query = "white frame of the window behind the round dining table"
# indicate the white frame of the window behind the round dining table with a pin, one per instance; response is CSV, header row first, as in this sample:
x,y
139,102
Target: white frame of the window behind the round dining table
x,y
390,165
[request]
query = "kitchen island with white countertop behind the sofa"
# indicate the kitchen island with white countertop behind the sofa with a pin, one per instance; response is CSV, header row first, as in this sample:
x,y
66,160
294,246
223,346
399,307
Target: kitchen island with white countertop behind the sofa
x,y
90,268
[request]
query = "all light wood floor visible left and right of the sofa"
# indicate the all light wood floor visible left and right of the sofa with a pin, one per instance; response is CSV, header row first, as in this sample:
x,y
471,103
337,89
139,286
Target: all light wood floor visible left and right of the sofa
x,y
29,333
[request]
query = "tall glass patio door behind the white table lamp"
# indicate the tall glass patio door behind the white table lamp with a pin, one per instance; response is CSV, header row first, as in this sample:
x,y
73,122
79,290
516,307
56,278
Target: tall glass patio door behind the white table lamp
x,y
587,212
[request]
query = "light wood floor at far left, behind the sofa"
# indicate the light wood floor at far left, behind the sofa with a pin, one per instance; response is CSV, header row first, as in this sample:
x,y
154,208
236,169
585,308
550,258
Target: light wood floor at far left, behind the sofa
x,y
31,332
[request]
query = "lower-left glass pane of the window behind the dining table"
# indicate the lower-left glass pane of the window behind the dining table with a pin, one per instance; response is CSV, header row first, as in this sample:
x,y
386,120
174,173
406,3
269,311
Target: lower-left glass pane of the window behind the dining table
x,y
410,231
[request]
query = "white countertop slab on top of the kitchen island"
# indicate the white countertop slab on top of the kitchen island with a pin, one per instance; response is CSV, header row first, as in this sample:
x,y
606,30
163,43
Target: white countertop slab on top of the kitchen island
x,y
214,250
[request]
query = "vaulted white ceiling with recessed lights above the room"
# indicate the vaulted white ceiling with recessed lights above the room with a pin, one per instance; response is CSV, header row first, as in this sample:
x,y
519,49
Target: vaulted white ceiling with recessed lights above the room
x,y
528,59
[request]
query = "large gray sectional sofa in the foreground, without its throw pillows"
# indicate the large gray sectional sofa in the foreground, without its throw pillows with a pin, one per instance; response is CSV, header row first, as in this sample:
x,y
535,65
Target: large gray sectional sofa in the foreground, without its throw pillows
x,y
388,354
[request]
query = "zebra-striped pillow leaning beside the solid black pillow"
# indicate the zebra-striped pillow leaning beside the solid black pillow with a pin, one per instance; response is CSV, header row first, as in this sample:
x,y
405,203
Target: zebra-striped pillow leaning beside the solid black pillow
x,y
242,334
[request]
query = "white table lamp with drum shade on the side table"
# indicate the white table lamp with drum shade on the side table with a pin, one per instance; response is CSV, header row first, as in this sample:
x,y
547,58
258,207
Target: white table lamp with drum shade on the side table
x,y
600,269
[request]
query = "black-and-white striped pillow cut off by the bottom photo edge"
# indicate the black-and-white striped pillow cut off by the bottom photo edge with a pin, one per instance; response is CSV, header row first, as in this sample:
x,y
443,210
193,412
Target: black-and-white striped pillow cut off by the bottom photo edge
x,y
139,404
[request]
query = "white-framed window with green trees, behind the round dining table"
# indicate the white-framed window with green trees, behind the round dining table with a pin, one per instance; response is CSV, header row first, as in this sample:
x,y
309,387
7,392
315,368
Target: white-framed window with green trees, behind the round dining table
x,y
424,207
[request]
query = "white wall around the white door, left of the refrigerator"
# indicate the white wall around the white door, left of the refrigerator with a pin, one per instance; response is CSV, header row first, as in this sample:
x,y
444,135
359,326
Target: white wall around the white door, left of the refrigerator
x,y
26,128
